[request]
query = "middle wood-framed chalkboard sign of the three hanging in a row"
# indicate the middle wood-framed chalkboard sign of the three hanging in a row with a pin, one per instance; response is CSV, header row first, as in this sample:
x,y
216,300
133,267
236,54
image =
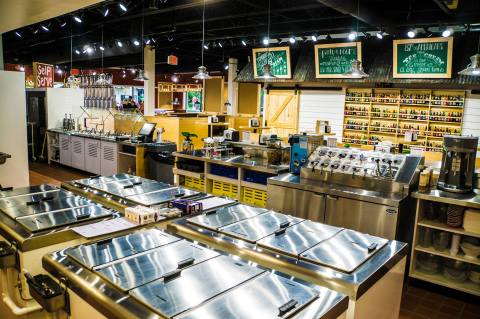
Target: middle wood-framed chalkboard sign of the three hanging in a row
x,y
334,59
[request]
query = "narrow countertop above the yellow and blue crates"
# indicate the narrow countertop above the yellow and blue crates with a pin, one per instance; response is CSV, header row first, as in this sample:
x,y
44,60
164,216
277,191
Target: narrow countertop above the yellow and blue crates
x,y
254,164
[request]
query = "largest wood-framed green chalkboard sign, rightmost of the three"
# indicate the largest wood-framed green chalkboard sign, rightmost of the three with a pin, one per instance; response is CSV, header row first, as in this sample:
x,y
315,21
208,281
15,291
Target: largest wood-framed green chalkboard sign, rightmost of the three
x,y
422,58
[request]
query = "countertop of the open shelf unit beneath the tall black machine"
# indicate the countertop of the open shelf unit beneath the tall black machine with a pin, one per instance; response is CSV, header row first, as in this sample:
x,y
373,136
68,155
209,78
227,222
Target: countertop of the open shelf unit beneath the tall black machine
x,y
471,200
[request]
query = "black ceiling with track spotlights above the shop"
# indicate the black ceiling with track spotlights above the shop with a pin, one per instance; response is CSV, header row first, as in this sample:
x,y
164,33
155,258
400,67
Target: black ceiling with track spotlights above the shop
x,y
176,27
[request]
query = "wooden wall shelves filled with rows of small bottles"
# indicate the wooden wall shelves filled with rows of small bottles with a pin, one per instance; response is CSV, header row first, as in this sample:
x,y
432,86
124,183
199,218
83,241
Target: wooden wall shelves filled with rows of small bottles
x,y
375,115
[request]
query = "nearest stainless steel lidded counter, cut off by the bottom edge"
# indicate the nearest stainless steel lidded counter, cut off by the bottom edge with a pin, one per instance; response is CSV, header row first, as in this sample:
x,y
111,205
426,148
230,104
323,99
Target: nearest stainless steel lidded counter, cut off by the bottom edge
x,y
181,279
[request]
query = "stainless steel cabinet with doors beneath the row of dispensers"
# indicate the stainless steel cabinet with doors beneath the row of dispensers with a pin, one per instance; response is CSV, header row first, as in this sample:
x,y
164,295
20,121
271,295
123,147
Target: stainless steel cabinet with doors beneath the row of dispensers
x,y
369,204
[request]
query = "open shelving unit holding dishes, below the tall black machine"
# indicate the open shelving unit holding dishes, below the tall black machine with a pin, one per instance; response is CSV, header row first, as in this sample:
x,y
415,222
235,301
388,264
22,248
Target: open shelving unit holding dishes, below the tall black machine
x,y
421,223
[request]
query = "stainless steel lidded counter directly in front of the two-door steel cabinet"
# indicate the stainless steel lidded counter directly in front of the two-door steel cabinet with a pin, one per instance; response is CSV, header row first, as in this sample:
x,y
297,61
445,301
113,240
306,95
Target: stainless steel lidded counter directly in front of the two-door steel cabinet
x,y
341,259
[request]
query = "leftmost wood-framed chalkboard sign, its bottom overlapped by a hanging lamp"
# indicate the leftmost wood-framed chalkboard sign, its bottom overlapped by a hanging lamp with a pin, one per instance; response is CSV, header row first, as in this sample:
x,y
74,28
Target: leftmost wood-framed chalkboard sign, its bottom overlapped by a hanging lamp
x,y
278,58
